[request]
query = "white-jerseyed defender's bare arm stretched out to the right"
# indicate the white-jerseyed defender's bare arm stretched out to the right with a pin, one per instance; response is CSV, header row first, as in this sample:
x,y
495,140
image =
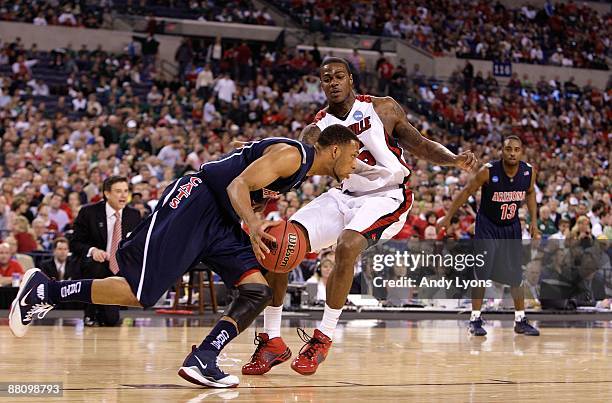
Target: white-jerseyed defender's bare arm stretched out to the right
x,y
422,147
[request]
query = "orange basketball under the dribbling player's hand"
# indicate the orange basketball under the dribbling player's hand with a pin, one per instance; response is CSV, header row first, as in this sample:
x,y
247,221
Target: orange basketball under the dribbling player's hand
x,y
289,249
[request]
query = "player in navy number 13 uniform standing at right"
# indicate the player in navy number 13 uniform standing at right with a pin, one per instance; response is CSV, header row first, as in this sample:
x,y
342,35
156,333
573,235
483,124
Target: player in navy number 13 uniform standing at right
x,y
505,184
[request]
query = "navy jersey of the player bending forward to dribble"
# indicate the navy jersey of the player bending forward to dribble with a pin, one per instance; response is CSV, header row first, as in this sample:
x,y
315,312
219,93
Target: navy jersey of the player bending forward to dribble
x,y
219,174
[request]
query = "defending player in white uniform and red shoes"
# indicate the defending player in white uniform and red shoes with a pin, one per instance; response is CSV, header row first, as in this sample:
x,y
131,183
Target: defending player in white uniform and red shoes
x,y
373,204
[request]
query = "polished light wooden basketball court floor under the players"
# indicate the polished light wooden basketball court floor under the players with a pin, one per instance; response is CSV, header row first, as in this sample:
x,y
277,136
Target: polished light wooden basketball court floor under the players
x,y
371,360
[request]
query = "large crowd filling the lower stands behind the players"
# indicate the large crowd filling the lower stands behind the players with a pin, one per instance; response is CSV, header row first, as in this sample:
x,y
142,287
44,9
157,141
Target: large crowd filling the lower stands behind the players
x,y
69,119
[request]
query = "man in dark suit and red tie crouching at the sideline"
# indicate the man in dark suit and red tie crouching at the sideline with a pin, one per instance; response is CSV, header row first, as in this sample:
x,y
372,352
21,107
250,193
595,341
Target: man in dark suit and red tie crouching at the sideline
x,y
98,229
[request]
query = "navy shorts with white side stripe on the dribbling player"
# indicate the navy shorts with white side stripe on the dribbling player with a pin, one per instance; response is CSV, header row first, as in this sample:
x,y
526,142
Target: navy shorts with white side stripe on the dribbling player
x,y
187,226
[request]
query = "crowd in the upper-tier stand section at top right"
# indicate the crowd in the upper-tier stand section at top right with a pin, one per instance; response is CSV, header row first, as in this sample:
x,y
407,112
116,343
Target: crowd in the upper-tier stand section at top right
x,y
564,34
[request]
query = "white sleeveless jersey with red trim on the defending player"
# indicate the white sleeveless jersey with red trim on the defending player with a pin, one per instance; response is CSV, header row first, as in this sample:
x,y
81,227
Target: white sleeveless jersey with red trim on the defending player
x,y
381,163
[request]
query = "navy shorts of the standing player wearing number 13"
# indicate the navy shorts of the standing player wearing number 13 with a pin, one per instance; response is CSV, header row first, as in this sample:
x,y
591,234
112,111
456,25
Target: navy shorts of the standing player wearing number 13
x,y
502,249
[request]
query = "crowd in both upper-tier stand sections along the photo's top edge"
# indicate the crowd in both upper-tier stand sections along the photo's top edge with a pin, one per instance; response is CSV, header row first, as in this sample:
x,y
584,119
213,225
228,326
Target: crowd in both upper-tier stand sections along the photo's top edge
x,y
562,34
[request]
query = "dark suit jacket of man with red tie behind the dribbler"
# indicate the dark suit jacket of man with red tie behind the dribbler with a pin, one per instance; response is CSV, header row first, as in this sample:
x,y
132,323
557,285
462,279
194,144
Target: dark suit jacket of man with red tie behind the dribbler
x,y
90,231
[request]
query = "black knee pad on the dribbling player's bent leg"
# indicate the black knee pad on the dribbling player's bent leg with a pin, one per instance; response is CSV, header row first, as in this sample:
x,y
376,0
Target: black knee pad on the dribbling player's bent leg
x,y
252,299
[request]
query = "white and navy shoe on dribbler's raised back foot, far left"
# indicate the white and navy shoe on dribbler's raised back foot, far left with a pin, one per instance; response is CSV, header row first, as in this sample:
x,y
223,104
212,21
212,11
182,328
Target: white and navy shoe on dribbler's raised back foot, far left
x,y
32,302
